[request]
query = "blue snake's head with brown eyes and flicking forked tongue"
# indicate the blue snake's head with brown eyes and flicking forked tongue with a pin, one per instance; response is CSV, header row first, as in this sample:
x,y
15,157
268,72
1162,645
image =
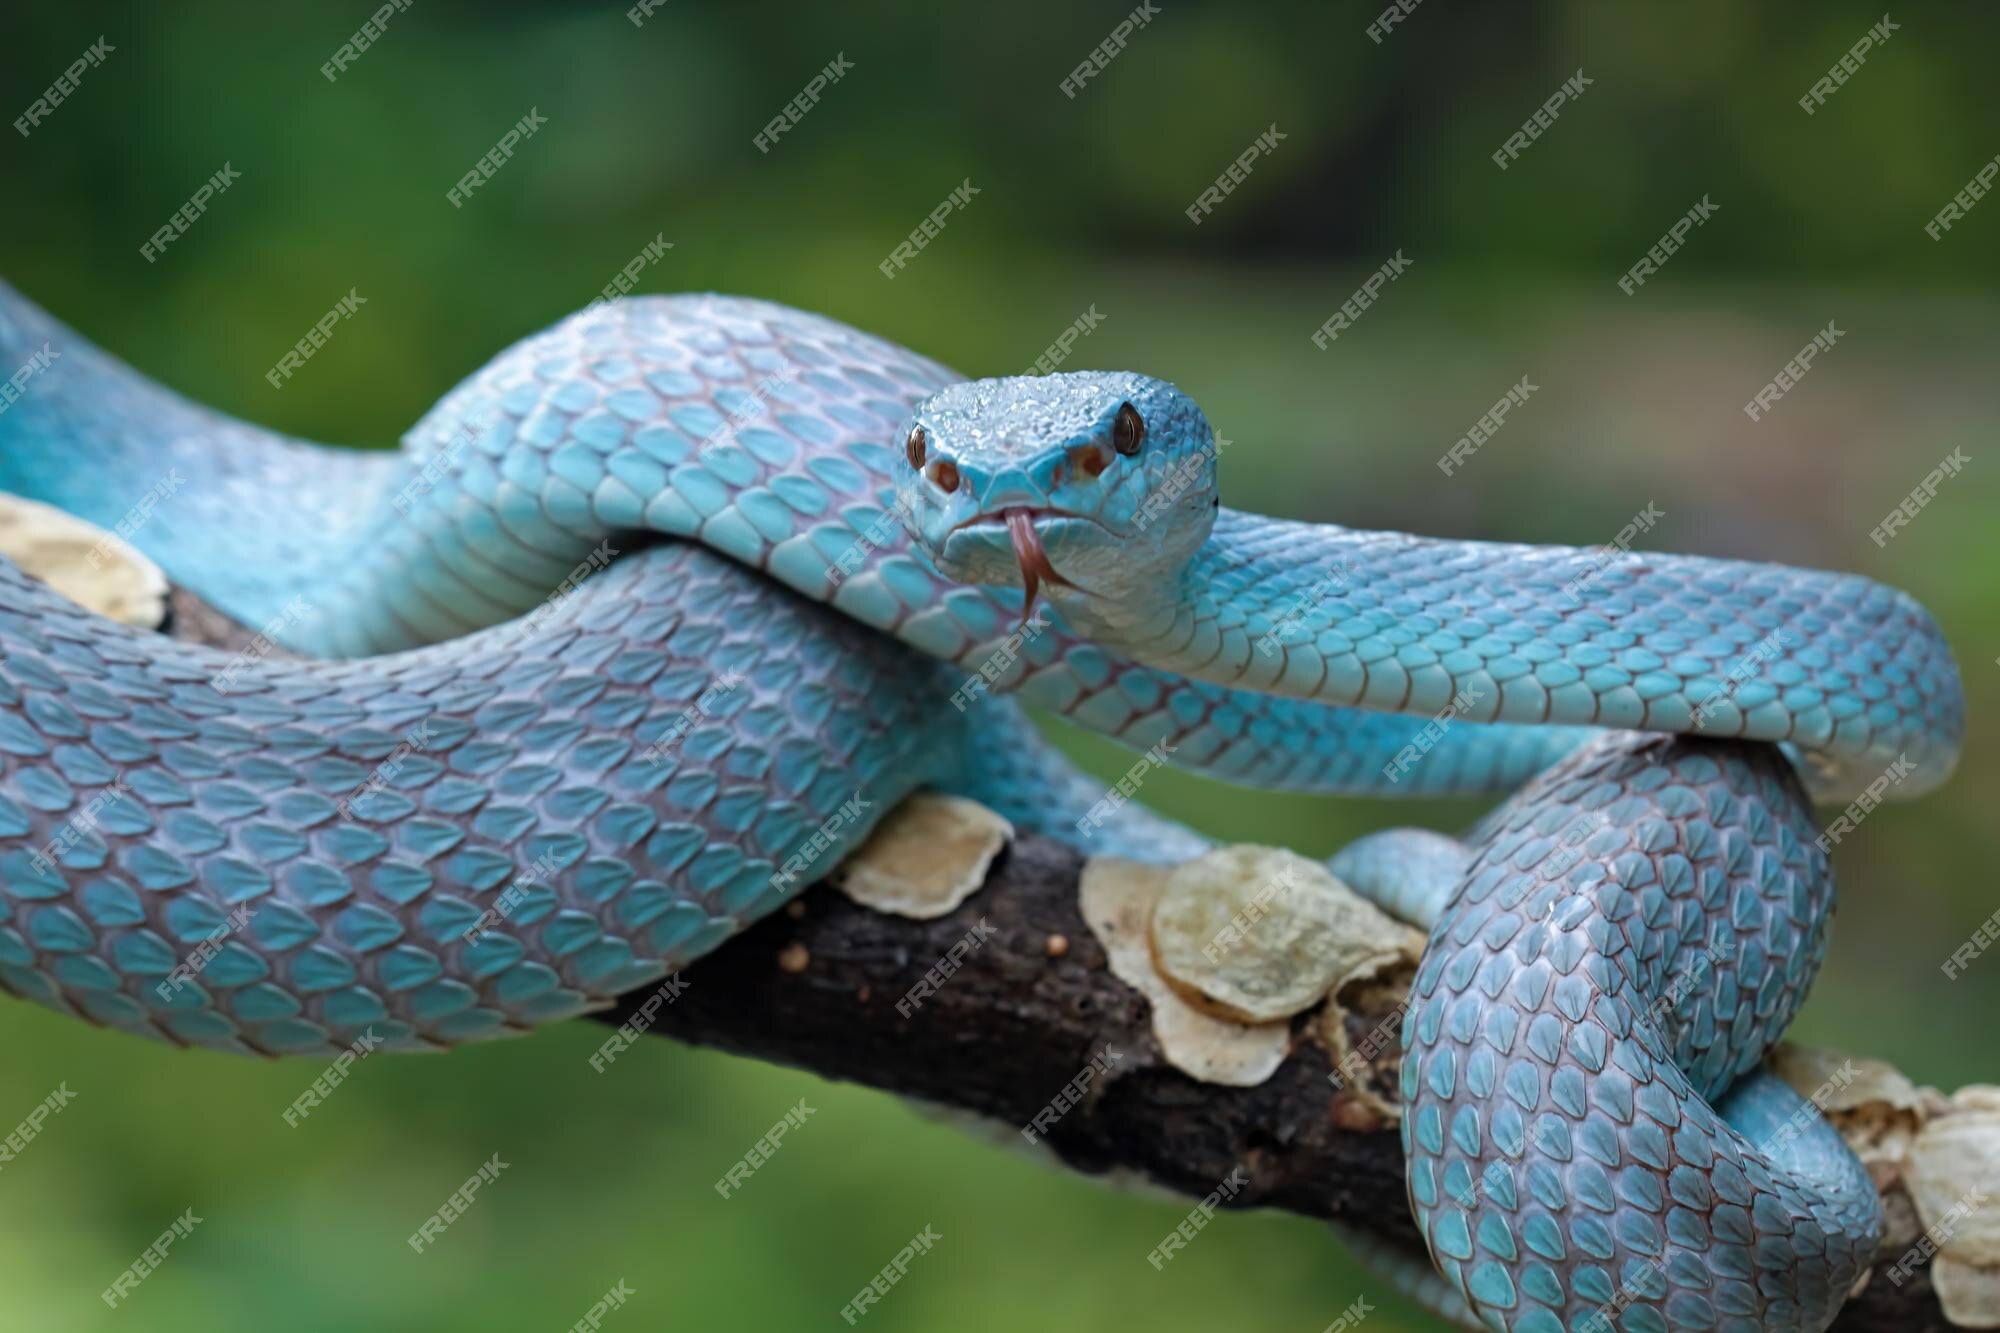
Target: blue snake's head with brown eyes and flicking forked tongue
x,y
1099,485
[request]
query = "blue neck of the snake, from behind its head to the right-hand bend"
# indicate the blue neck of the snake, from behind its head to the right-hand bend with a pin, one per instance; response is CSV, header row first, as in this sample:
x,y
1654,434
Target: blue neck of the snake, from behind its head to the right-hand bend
x,y
1585,637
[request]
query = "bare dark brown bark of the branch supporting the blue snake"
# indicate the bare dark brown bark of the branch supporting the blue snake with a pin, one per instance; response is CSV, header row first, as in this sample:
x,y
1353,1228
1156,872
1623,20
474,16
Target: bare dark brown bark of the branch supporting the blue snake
x,y
819,986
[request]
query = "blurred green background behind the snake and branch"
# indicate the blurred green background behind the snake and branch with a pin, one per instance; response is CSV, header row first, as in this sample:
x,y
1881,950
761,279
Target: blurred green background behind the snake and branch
x,y
1081,207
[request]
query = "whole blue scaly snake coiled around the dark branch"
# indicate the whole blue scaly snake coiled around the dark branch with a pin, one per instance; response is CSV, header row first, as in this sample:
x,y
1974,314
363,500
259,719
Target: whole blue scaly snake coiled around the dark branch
x,y
655,615
